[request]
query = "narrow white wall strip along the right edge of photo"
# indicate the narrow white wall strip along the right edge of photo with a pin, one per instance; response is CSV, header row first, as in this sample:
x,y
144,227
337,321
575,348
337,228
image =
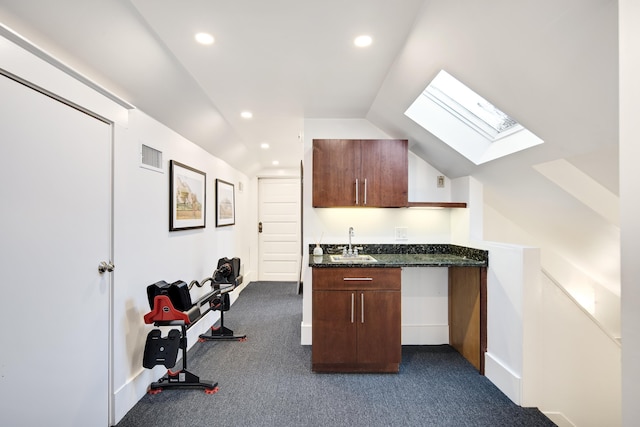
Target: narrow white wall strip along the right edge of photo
x,y
629,17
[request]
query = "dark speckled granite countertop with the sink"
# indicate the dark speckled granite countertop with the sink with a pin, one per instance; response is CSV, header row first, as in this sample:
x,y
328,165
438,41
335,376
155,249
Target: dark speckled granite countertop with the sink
x,y
439,255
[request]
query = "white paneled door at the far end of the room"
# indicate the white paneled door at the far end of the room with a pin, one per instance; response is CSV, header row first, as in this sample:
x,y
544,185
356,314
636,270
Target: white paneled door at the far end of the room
x,y
279,240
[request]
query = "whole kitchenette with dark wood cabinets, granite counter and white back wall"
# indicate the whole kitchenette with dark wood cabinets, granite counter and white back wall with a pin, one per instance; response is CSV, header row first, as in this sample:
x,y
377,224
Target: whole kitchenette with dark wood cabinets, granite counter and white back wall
x,y
398,279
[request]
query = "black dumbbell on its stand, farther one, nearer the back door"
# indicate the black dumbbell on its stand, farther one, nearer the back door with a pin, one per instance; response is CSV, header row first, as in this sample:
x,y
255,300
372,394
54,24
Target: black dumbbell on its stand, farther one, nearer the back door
x,y
225,278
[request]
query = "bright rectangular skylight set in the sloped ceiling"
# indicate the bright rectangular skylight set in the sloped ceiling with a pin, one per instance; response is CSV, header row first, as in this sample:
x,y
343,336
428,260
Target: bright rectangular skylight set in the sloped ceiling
x,y
467,122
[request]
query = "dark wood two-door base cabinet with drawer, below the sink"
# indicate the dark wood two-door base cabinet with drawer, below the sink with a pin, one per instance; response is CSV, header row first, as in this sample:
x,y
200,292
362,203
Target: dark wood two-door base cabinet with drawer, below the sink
x,y
356,320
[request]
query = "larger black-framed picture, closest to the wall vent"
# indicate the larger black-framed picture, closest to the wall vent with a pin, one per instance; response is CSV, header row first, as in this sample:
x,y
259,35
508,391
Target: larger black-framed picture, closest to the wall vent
x,y
187,193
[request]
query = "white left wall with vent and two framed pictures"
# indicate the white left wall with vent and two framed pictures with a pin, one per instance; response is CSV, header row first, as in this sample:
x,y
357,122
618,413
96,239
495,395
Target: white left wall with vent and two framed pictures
x,y
144,251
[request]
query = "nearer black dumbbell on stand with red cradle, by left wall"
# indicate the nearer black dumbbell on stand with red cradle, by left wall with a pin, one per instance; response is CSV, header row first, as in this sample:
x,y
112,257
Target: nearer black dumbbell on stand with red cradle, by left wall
x,y
164,300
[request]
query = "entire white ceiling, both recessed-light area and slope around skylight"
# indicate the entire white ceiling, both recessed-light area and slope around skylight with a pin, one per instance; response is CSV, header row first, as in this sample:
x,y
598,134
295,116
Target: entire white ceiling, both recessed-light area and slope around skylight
x,y
552,65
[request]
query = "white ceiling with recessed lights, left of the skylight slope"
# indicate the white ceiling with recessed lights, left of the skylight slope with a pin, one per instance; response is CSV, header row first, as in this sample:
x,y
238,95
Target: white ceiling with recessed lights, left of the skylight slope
x,y
284,60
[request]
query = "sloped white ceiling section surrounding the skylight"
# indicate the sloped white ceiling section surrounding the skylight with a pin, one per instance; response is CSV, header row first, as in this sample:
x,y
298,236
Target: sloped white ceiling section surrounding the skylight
x,y
550,65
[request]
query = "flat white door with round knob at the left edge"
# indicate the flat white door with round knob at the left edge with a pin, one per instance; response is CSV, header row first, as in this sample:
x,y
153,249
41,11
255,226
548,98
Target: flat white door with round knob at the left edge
x,y
55,229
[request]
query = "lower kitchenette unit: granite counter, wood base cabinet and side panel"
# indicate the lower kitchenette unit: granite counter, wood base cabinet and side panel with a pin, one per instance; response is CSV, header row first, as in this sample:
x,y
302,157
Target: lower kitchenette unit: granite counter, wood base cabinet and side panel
x,y
357,311
